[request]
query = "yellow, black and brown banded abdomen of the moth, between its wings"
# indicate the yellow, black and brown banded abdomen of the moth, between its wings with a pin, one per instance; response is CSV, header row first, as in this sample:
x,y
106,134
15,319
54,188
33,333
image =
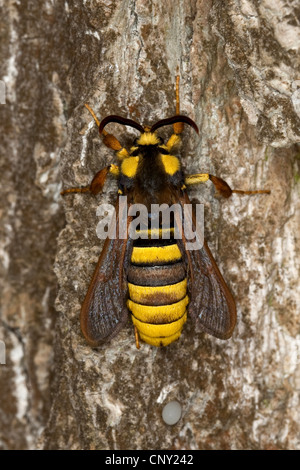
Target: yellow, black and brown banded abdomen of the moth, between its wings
x,y
157,288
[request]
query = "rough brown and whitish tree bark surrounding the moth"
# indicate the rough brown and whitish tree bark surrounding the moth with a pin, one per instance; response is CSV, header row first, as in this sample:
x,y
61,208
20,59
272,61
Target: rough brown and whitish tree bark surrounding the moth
x,y
239,67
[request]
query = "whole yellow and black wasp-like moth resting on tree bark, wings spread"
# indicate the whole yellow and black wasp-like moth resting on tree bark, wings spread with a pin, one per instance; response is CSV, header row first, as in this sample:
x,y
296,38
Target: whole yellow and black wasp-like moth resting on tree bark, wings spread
x,y
154,279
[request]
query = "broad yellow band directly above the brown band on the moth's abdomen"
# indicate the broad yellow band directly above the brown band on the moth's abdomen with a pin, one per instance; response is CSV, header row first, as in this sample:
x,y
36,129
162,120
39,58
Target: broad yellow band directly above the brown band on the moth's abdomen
x,y
155,254
